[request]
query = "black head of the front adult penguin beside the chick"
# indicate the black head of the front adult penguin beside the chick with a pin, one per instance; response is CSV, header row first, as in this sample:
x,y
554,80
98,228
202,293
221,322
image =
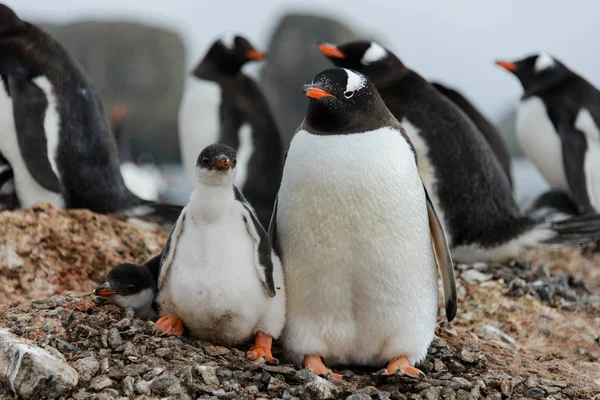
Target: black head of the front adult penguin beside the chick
x,y
342,101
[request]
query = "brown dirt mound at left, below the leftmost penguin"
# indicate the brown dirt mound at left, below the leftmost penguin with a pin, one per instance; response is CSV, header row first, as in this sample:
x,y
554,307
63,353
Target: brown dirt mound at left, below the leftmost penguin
x,y
44,251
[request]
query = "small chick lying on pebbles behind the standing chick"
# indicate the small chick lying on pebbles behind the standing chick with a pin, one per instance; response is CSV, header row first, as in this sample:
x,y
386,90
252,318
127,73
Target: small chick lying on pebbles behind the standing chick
x,y
133,286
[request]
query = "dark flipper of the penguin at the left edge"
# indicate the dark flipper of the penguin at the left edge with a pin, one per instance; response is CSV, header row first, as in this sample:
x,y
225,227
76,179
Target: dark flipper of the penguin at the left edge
x,y
29,110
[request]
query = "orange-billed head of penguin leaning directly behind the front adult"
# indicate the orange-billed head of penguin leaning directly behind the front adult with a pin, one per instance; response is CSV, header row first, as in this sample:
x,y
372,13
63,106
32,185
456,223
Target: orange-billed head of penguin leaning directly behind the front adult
x,y
369,58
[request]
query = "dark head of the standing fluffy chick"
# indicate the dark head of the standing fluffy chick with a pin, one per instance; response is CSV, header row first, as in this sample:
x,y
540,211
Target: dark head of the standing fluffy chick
x,y
216,165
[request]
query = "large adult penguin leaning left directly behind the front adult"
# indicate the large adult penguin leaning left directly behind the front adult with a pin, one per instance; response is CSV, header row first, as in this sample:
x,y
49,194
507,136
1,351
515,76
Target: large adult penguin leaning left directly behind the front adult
x,y
461,173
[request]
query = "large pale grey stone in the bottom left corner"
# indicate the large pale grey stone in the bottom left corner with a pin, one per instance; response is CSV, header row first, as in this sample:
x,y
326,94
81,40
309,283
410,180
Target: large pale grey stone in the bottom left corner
x,y
31,372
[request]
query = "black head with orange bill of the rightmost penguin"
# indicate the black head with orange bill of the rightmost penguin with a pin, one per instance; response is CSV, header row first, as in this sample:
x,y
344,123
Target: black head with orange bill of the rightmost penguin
x,y
537,72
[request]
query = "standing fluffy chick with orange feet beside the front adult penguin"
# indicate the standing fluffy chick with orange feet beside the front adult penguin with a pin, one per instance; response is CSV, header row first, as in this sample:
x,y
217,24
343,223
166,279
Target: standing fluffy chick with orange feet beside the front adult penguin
x,y
219,275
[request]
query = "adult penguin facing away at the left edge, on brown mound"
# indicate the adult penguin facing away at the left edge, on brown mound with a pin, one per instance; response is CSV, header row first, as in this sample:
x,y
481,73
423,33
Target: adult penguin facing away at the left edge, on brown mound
x,y
53,131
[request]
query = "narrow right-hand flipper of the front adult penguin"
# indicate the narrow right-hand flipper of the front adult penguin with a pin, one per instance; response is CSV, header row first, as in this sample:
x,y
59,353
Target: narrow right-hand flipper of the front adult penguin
x,y
443,259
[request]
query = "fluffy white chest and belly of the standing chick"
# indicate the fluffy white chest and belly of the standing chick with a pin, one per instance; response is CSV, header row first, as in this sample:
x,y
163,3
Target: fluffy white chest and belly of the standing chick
x,y
212,283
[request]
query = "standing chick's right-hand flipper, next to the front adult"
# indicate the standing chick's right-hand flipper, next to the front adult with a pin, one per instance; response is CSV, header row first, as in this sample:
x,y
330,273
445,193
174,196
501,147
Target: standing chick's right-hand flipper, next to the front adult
x,y
262,246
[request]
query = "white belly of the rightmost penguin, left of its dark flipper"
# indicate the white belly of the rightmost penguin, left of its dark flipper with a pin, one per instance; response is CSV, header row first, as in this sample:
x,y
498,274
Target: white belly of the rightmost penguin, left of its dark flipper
x,y
540,141
